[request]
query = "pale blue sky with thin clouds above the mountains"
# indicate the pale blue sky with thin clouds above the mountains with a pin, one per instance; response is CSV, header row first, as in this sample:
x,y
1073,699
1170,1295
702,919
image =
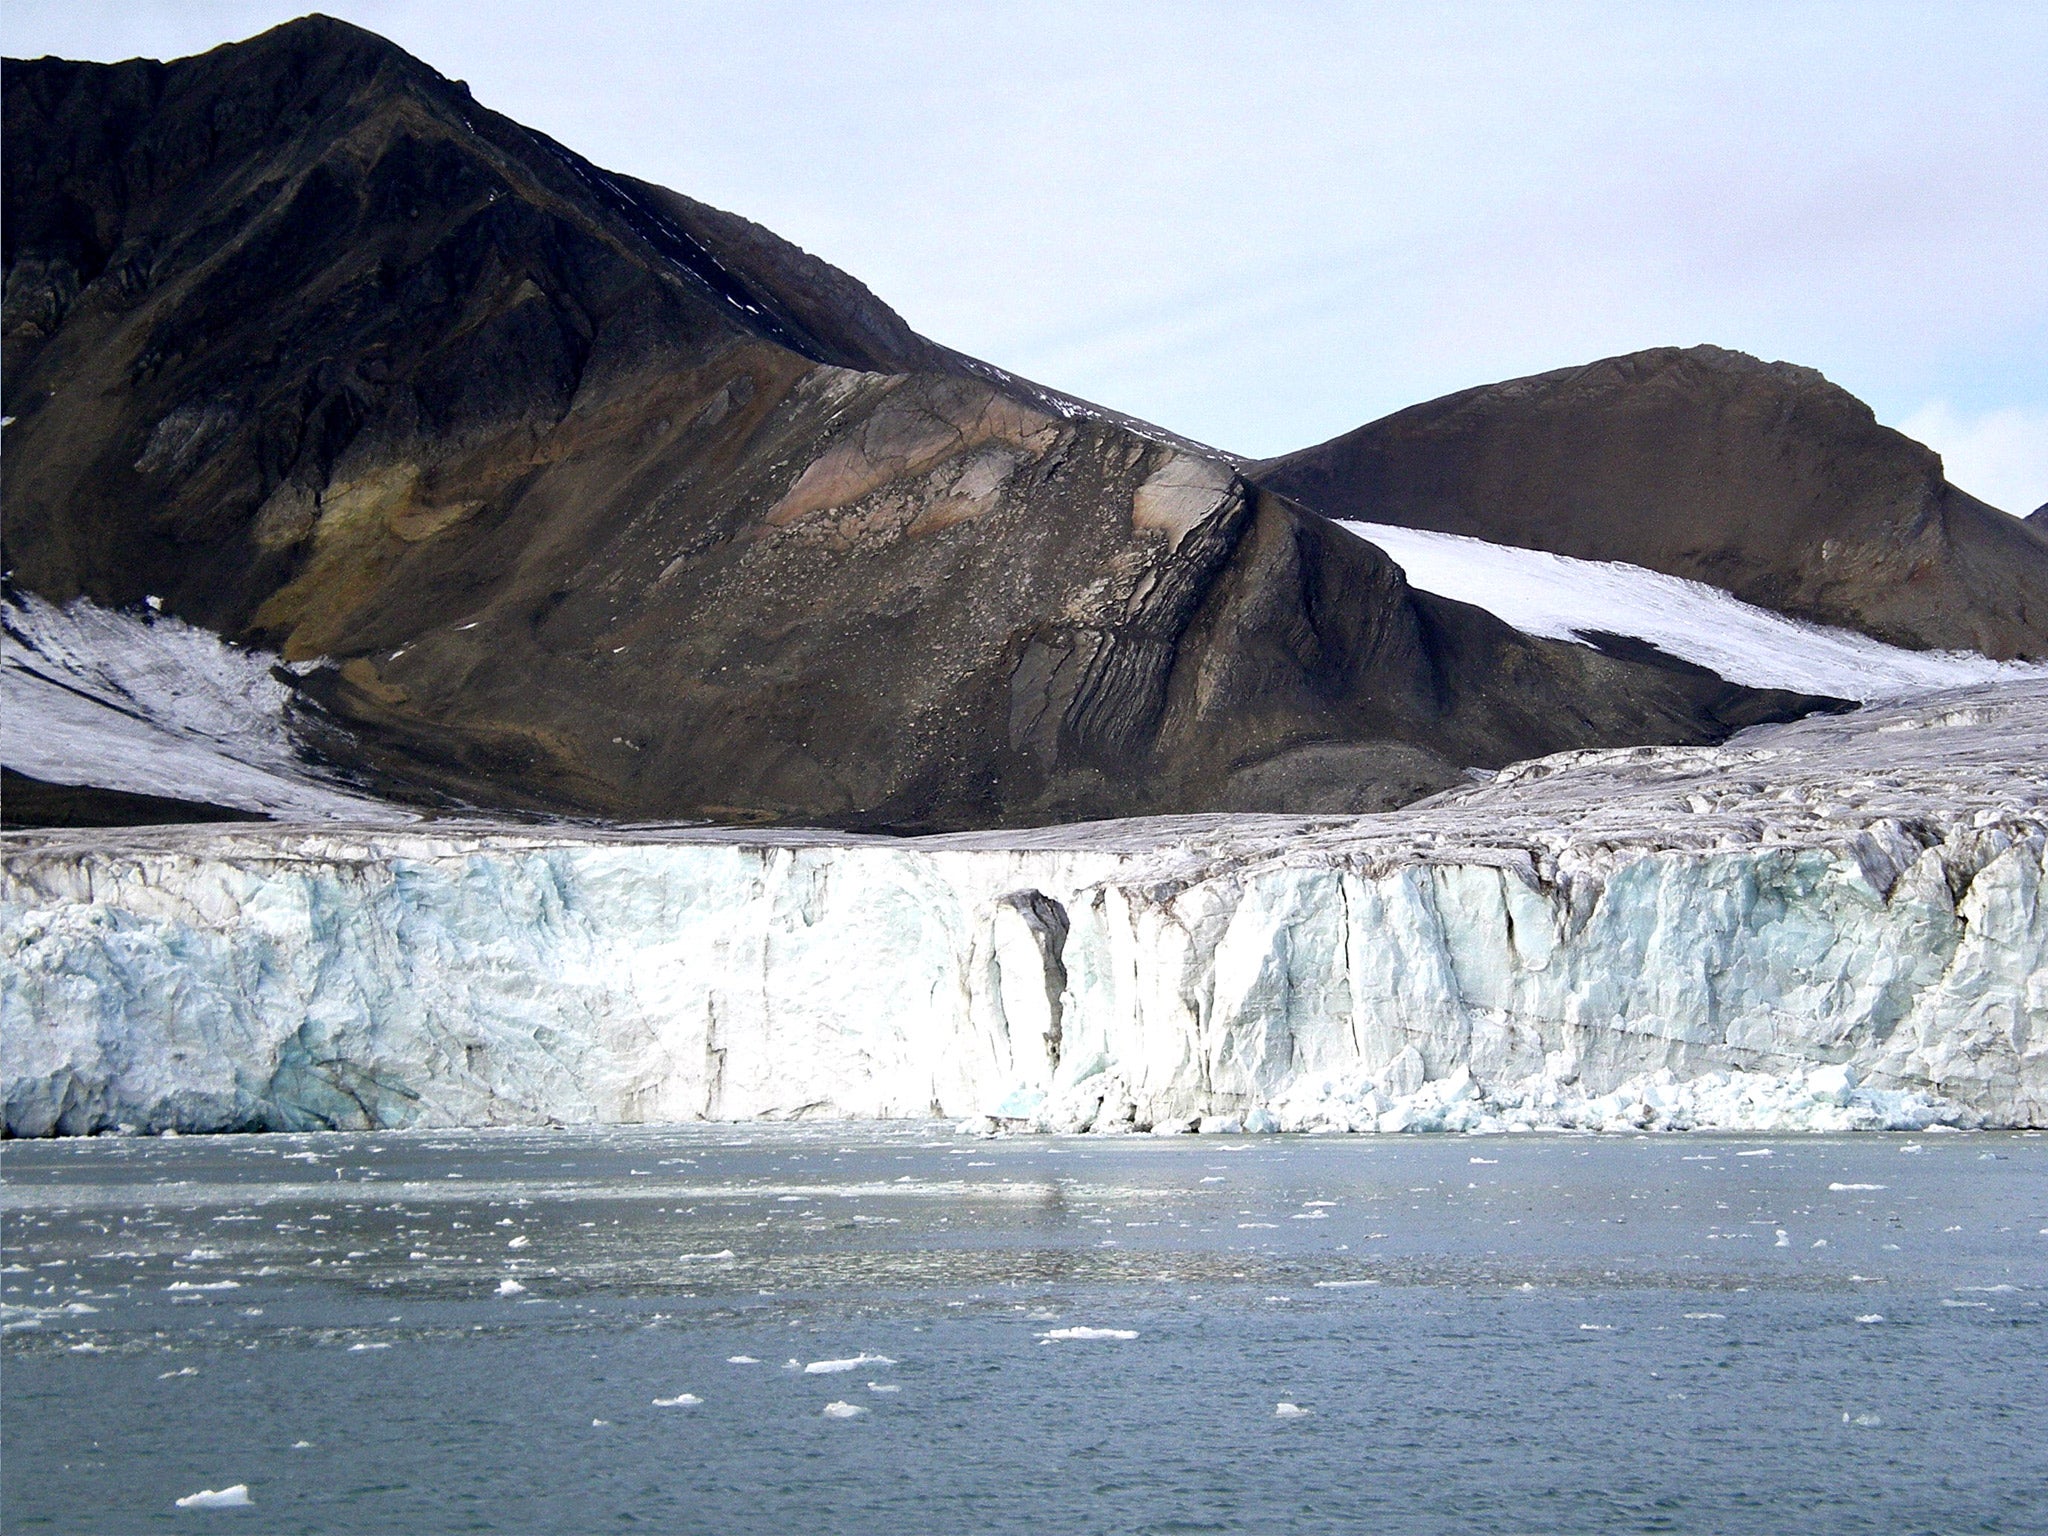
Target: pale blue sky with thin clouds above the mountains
x,y
1269,224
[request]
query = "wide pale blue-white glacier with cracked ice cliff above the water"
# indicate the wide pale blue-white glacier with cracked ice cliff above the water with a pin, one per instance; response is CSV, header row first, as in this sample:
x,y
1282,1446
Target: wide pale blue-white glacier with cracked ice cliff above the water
x,y
1830,925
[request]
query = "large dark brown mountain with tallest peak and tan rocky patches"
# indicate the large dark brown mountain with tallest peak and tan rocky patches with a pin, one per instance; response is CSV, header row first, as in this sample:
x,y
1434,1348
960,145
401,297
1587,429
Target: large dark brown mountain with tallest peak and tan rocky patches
x,y
591,499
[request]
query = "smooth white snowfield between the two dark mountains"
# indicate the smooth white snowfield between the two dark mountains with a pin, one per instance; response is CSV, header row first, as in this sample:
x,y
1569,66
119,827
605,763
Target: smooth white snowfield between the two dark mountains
x,y
1574,599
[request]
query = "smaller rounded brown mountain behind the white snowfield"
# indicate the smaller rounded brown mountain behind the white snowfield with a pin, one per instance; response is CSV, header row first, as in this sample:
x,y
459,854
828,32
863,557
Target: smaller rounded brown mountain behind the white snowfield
x,y
1760,478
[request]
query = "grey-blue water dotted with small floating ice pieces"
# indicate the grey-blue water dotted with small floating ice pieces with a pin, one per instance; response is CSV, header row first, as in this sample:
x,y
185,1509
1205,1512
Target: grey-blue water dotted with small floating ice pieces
x,y
1506,1334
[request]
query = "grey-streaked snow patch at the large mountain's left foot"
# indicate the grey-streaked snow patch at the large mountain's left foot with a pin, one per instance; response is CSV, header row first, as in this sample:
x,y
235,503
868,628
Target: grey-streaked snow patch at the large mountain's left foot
x,y
155,706
